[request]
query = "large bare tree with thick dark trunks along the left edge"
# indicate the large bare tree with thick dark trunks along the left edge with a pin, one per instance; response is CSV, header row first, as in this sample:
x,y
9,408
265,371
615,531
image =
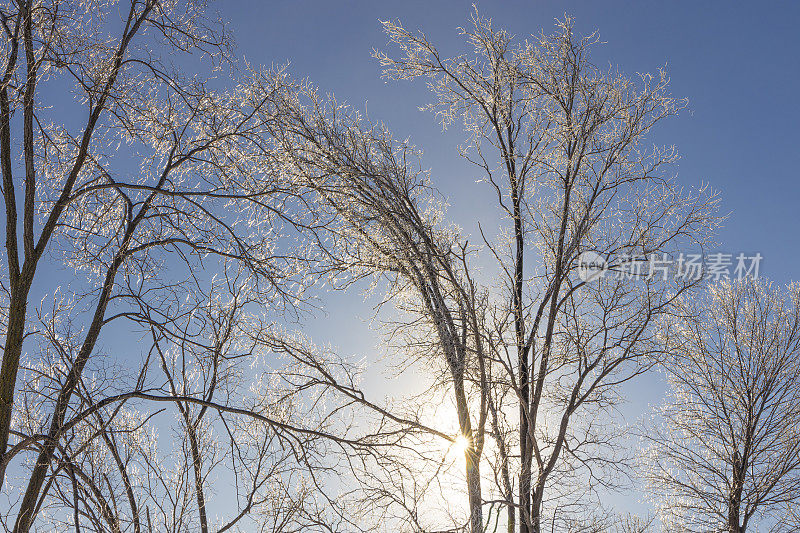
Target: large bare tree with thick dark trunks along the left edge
x,y
164,185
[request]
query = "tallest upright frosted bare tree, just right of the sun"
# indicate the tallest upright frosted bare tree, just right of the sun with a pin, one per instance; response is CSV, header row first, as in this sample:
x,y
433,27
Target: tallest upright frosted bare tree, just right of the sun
x,y
561,144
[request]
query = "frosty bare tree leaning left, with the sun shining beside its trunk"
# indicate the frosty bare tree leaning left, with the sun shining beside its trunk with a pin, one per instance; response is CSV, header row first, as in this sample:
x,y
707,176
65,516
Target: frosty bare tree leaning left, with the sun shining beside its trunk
x,y
385,226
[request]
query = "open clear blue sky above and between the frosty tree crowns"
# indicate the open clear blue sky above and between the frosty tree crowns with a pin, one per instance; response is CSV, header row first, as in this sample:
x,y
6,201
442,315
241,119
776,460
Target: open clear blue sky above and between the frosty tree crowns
x,y
737,65
